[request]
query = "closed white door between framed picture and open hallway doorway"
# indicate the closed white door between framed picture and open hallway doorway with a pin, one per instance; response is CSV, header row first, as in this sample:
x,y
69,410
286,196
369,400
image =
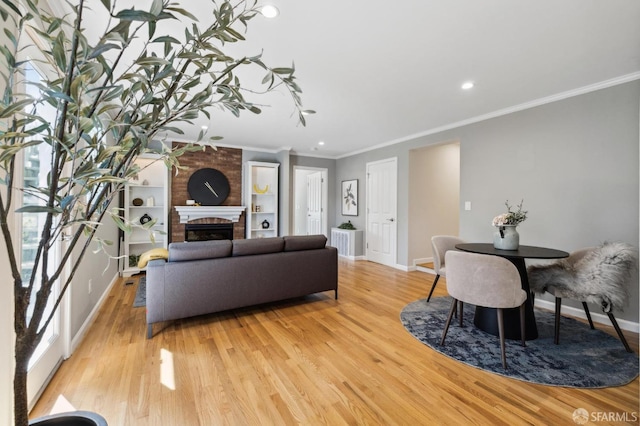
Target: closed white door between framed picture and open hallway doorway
x,y
382,177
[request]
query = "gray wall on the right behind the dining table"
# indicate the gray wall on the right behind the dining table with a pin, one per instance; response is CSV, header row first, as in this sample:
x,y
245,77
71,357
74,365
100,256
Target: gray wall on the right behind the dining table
x,y
574,162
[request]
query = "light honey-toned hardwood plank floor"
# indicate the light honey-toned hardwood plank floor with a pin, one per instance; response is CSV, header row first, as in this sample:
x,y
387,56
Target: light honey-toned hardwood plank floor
x,y
311,361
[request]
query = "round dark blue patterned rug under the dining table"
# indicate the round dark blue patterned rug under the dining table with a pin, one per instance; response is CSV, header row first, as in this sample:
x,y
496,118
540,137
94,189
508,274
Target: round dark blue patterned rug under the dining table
x,y
584,358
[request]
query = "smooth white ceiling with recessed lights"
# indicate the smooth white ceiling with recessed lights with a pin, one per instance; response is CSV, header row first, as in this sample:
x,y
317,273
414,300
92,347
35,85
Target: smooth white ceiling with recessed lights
x,y
379,72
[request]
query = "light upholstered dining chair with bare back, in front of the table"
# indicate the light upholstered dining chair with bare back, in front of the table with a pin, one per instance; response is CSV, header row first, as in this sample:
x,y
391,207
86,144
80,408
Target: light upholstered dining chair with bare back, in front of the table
x,y
483,280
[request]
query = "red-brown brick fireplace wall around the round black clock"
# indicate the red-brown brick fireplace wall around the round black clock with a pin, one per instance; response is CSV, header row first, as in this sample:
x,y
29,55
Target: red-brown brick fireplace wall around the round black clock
x,y
229,162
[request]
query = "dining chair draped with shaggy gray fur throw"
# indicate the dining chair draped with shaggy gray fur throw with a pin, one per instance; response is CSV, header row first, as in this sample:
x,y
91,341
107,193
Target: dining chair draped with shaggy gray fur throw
x,y
597,275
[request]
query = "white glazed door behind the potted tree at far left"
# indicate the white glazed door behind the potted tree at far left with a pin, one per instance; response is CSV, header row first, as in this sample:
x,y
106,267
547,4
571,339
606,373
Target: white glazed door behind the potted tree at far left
x,y
36,166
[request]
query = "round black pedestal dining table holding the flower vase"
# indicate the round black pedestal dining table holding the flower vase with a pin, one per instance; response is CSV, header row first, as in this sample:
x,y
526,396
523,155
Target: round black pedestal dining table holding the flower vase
x,y
485,318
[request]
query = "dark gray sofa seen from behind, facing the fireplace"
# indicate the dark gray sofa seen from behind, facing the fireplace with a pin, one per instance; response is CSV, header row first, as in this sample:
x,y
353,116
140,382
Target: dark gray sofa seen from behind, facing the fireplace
x,y
203,277
